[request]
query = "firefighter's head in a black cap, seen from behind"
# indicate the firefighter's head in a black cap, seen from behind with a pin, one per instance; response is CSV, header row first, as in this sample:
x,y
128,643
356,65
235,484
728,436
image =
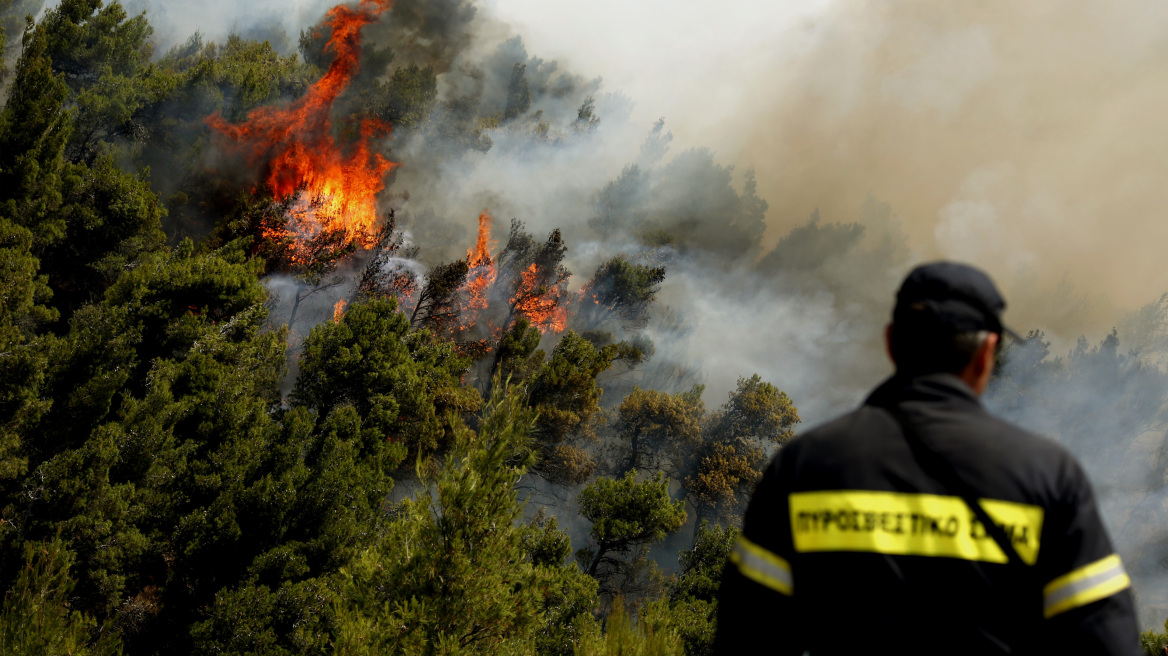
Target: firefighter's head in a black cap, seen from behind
x,y
947,320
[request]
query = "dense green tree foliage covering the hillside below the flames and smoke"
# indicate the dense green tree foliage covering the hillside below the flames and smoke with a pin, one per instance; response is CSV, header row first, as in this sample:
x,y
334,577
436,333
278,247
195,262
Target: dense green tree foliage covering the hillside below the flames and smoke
x,y
182,473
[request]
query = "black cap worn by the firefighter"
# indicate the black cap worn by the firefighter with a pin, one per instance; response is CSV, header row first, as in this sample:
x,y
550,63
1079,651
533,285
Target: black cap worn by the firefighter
x,y
951,297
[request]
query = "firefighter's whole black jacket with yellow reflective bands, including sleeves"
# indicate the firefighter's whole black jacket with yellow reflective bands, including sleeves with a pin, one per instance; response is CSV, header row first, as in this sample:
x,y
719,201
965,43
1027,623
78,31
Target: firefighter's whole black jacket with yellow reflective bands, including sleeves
x,y
850,547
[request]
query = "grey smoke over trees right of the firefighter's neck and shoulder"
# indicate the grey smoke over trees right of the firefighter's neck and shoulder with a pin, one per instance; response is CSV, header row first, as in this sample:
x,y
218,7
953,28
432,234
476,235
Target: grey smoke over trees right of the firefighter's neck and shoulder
x,y
1106,402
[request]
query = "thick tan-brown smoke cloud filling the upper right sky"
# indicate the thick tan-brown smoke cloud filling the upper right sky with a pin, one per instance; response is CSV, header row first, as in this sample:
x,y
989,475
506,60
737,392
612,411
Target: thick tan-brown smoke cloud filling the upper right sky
x,y
1024,137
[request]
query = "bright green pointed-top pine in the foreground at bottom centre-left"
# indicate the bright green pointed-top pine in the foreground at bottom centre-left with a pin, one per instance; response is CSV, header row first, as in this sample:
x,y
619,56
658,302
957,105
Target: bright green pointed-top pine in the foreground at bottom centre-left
x,y
456,573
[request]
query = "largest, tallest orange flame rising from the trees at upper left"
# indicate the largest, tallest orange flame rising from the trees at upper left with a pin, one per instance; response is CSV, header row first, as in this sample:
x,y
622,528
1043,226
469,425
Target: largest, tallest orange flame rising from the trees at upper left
x,y
301,152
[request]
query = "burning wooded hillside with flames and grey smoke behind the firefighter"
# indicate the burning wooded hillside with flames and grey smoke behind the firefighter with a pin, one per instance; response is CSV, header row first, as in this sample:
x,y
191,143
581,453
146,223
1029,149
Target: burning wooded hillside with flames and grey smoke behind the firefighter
x,y
276,378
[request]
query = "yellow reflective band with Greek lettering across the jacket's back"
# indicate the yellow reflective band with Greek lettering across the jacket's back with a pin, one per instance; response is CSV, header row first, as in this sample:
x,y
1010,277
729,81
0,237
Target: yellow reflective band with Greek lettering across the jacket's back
x,y
910,525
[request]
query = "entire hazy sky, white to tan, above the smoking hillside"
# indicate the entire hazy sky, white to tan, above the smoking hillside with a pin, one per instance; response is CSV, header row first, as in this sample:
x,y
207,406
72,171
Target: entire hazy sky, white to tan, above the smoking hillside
x,y
1024,137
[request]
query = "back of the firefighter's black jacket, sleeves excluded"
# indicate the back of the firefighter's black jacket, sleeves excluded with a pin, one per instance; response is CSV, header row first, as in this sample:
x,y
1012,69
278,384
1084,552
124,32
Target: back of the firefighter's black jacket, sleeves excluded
x,y
884,547
